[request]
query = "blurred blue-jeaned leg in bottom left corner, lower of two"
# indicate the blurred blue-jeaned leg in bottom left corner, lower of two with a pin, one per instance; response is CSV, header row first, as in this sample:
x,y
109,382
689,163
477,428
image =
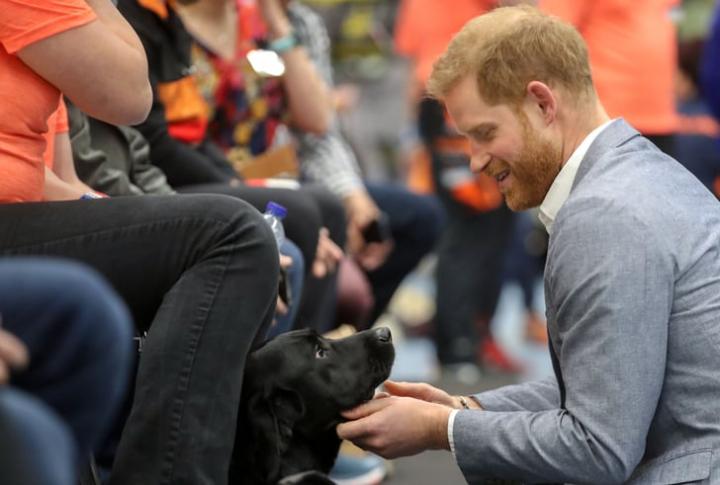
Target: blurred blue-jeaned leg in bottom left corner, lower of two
x,y
36,446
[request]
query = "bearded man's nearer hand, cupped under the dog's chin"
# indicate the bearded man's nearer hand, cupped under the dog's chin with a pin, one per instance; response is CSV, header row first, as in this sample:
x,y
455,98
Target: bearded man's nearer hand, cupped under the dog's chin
x,y
396,426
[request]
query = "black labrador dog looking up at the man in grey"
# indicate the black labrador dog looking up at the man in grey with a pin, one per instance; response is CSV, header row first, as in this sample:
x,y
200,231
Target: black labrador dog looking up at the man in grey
x,y
295,387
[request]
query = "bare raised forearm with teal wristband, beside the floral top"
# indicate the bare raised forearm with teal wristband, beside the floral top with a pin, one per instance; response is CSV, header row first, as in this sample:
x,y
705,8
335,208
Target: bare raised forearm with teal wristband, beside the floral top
x,y
309,97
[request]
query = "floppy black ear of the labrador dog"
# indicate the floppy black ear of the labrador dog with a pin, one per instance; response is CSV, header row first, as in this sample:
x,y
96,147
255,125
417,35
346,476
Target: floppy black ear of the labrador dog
x,y
274,413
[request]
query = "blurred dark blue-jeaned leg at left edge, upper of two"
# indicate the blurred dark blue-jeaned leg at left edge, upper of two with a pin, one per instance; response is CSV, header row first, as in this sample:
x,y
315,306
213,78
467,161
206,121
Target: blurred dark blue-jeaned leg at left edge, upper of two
x,y
78,334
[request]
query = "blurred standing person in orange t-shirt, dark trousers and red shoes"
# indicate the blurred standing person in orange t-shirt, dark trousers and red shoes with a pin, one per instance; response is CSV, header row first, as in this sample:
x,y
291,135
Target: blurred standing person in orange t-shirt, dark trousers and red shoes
x,y
478,226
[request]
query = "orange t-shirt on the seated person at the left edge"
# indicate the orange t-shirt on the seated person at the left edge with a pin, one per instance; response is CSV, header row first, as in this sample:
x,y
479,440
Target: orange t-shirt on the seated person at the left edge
x,y
26,99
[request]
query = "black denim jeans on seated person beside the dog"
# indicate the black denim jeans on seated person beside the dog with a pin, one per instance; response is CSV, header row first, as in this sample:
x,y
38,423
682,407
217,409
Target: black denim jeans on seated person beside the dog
x,y
199,272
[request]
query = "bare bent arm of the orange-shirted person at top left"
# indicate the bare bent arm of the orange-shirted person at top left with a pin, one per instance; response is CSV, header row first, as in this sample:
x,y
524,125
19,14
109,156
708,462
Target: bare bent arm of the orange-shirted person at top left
x,y
101,66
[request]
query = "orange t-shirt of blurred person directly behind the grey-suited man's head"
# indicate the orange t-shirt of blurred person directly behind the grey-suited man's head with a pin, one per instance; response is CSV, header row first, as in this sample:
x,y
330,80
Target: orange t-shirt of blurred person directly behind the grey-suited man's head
x,y
633,56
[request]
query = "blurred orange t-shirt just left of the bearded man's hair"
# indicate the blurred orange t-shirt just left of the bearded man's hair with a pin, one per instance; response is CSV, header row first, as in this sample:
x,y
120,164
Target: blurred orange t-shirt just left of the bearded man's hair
x,y
424,28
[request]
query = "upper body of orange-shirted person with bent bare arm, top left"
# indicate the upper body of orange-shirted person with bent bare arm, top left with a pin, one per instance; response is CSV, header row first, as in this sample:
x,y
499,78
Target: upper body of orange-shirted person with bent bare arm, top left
x,y
34,54
